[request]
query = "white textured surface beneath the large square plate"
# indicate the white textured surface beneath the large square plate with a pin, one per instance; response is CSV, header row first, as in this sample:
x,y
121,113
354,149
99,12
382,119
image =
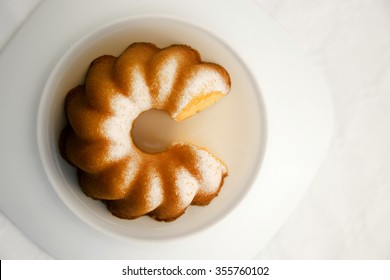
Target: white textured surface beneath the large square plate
x,y
346,212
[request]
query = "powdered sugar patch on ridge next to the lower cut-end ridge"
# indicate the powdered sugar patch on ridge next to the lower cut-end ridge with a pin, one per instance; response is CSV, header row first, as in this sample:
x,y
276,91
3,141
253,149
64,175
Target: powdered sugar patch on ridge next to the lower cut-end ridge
x,y
186,186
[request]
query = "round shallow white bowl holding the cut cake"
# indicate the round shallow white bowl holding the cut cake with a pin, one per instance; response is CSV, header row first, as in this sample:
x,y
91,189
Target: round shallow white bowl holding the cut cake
x,y
233,128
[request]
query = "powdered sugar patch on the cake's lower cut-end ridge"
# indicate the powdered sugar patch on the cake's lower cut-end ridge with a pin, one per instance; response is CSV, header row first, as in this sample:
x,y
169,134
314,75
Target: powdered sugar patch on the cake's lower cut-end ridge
x,y
211,170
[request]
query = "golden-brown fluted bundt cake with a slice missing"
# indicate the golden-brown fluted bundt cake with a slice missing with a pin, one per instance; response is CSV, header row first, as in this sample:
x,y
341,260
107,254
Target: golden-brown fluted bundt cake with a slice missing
x,y
100,115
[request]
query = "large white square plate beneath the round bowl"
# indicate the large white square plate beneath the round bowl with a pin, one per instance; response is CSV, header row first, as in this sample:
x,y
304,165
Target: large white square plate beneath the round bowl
x,y
297,111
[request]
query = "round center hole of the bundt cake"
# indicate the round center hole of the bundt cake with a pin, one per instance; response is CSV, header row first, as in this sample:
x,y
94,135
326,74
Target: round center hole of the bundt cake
x,y
153,131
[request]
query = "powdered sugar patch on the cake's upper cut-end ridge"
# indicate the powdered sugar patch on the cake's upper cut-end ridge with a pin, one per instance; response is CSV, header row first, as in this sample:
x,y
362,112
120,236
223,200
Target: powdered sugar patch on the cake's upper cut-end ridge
x,y
203,81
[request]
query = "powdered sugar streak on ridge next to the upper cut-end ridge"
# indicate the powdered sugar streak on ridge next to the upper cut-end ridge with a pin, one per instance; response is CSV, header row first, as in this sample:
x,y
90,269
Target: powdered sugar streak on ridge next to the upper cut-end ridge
x,y
166,77
